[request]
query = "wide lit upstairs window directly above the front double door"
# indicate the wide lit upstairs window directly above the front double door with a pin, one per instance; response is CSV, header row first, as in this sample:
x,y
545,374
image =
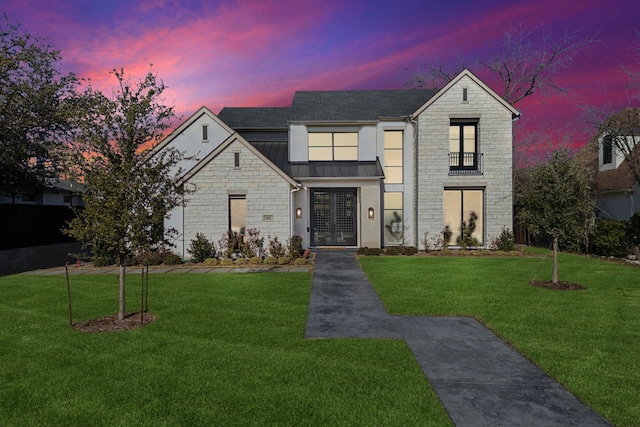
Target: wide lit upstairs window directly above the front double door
x,y
333,146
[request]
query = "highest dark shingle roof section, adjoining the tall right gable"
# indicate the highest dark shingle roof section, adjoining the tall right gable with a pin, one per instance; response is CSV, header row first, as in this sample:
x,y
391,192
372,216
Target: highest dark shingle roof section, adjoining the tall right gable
x,y
357,104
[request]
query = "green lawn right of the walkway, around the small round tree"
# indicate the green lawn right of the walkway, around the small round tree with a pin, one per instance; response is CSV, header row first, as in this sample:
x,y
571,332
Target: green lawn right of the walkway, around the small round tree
x,y
588,340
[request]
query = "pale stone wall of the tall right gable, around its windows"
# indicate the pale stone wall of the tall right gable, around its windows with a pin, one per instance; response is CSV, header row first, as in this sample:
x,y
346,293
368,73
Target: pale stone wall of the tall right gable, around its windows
x,y
494,141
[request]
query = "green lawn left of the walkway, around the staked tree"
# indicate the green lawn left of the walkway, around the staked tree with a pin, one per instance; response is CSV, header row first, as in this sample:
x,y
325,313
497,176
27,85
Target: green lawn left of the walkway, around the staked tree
x,y
228,349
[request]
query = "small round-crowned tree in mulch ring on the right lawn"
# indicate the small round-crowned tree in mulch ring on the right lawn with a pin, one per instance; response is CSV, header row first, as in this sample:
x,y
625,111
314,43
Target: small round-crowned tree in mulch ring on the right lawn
x,y
557,200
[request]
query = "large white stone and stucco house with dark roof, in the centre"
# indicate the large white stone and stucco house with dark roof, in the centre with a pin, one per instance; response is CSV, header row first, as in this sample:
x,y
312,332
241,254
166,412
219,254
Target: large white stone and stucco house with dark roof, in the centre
x,y
350,168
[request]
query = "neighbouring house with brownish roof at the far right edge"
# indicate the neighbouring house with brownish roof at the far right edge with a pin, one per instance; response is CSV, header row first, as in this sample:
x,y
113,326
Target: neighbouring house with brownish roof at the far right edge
x,y
618,190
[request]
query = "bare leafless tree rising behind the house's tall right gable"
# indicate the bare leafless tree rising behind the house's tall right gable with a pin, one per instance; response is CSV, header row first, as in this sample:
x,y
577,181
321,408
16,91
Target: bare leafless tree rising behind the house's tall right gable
x,y
525,63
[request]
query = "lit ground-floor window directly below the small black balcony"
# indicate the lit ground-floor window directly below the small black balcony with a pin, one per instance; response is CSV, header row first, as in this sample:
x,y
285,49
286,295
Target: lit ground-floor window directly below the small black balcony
x,y
459,208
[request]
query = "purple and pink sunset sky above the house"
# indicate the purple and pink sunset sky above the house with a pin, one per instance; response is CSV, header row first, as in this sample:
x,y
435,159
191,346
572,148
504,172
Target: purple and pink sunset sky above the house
x,y
257,53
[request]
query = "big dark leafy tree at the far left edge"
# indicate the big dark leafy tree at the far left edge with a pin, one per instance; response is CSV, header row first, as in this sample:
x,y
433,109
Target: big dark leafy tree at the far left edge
x,y
36,107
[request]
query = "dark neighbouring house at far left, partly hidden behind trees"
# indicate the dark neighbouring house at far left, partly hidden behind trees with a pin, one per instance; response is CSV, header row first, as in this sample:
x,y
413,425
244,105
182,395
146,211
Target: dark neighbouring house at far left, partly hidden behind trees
x,y
57,193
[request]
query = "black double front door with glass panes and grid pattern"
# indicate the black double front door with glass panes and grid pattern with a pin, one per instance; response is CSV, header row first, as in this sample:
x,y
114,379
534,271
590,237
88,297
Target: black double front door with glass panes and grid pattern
x,y
333,217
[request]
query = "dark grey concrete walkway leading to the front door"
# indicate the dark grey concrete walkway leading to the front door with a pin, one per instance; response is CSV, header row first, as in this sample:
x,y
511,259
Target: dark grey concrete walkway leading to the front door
x,y
480,380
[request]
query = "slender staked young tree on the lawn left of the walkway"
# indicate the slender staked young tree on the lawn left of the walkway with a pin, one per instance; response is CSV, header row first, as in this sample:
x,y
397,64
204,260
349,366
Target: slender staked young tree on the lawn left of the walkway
x,y
130,187
